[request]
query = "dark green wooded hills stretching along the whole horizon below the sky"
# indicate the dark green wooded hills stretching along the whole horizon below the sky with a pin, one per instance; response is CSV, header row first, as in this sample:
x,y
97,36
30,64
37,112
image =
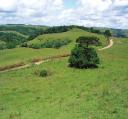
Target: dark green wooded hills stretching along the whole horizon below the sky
x,y
16,34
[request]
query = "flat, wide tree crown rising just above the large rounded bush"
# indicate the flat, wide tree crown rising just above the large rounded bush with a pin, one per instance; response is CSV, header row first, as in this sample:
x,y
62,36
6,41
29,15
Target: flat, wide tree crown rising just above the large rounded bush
x,y
88,40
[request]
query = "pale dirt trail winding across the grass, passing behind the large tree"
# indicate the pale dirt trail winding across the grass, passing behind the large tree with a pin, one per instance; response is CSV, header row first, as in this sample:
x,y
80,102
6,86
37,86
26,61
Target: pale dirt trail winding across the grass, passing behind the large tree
x,y
51,58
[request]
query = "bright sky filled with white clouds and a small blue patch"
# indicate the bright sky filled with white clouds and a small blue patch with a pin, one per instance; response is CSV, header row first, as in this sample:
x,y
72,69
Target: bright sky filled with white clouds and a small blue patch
x,y
98,13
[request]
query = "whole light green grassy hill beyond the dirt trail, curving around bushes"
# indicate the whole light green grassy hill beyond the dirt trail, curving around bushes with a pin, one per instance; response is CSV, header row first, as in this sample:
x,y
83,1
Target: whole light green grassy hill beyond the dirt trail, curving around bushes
x,y
26,54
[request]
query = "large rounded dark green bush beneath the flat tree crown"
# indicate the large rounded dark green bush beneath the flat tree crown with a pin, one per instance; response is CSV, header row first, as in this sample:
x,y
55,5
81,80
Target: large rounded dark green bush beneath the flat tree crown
x,y
83,57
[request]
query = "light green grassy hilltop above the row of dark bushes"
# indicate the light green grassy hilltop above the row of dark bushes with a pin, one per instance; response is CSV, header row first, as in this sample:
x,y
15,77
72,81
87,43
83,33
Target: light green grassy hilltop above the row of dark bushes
x,y
71,35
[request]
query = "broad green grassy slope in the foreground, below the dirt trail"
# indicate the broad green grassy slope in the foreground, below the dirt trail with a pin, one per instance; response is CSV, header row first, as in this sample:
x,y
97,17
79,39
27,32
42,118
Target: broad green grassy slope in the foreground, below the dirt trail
x,y
69,93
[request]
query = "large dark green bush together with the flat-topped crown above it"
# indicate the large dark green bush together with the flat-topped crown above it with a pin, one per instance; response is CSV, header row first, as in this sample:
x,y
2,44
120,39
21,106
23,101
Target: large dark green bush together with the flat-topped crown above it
x,y
83,56
